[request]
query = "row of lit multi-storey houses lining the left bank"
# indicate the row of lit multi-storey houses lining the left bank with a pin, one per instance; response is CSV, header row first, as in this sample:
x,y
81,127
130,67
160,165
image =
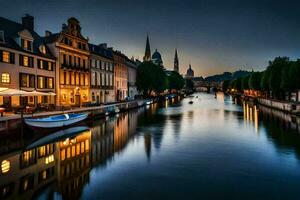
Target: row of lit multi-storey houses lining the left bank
x,y
65,63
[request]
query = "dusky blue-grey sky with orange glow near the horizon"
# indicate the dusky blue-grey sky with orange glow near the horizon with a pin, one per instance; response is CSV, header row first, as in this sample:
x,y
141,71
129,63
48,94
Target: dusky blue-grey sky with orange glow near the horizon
x,y
214,36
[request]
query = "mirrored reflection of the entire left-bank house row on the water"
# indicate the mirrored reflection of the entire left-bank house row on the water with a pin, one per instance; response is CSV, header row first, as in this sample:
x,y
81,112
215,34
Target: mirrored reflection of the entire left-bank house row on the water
x,y
62,167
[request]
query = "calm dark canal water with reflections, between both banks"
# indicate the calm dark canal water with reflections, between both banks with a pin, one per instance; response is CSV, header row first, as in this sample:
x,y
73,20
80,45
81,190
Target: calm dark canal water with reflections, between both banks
x,y
211,149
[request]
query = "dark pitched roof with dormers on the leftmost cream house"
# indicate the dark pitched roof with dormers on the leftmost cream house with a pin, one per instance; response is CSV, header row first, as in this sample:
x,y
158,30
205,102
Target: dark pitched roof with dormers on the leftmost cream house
x,y
11,32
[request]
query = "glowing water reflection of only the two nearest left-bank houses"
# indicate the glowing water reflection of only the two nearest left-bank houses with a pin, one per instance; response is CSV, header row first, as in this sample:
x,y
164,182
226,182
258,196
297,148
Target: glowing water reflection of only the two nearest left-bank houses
x,y
25,173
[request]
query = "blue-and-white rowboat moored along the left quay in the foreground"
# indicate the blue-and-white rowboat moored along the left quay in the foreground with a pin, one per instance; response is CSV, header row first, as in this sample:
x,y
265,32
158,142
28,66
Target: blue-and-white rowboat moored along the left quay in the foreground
x,y
56,121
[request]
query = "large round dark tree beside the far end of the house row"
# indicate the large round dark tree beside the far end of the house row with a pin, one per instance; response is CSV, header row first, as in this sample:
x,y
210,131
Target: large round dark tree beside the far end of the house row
x,y
150,78
